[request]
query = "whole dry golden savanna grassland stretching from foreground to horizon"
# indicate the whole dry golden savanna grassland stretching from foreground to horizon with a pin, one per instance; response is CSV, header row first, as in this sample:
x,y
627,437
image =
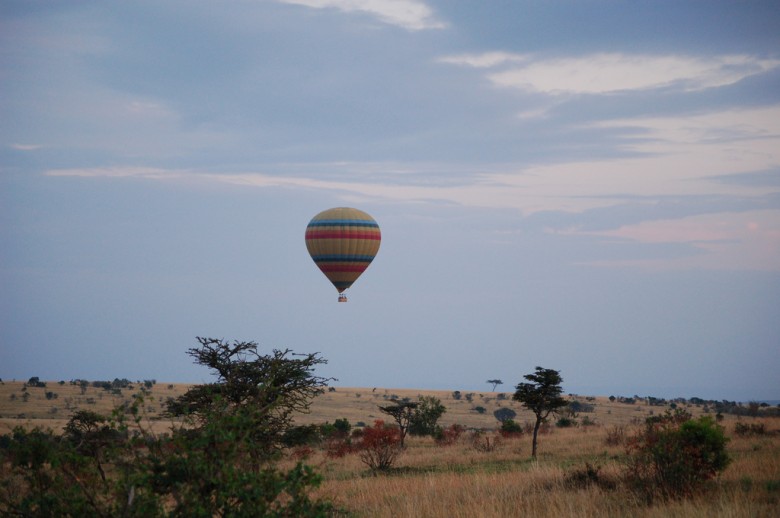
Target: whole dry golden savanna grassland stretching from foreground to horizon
x,y
579,472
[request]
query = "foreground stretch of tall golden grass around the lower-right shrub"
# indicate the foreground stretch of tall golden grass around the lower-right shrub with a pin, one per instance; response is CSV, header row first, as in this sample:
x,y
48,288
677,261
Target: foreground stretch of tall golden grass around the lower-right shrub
x,y
459,481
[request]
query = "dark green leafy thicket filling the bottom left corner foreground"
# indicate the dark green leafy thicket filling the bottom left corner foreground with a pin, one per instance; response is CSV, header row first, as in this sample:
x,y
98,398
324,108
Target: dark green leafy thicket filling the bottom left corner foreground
x,y
97,469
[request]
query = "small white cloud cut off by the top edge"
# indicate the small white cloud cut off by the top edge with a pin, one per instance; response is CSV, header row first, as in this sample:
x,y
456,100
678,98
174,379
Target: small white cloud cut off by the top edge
x,y
409,14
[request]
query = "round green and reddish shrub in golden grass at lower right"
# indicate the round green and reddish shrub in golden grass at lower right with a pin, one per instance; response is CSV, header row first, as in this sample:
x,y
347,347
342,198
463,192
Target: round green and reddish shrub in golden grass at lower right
x,y
675,455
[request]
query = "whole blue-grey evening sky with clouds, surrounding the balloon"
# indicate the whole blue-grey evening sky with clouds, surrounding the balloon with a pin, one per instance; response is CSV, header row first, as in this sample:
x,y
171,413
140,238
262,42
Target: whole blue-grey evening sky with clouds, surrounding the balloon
x,y
590,186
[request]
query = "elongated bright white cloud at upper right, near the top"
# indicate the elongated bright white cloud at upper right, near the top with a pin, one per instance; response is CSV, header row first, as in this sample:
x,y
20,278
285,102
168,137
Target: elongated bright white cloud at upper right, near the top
x,y
606,73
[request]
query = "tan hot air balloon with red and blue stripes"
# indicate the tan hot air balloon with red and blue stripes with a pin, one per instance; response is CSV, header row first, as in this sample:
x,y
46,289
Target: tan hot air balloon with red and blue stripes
x,y
342,242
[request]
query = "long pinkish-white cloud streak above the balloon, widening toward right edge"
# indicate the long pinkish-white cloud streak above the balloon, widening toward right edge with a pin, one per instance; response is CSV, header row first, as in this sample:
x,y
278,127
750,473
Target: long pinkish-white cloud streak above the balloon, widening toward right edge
x,y
669,191
